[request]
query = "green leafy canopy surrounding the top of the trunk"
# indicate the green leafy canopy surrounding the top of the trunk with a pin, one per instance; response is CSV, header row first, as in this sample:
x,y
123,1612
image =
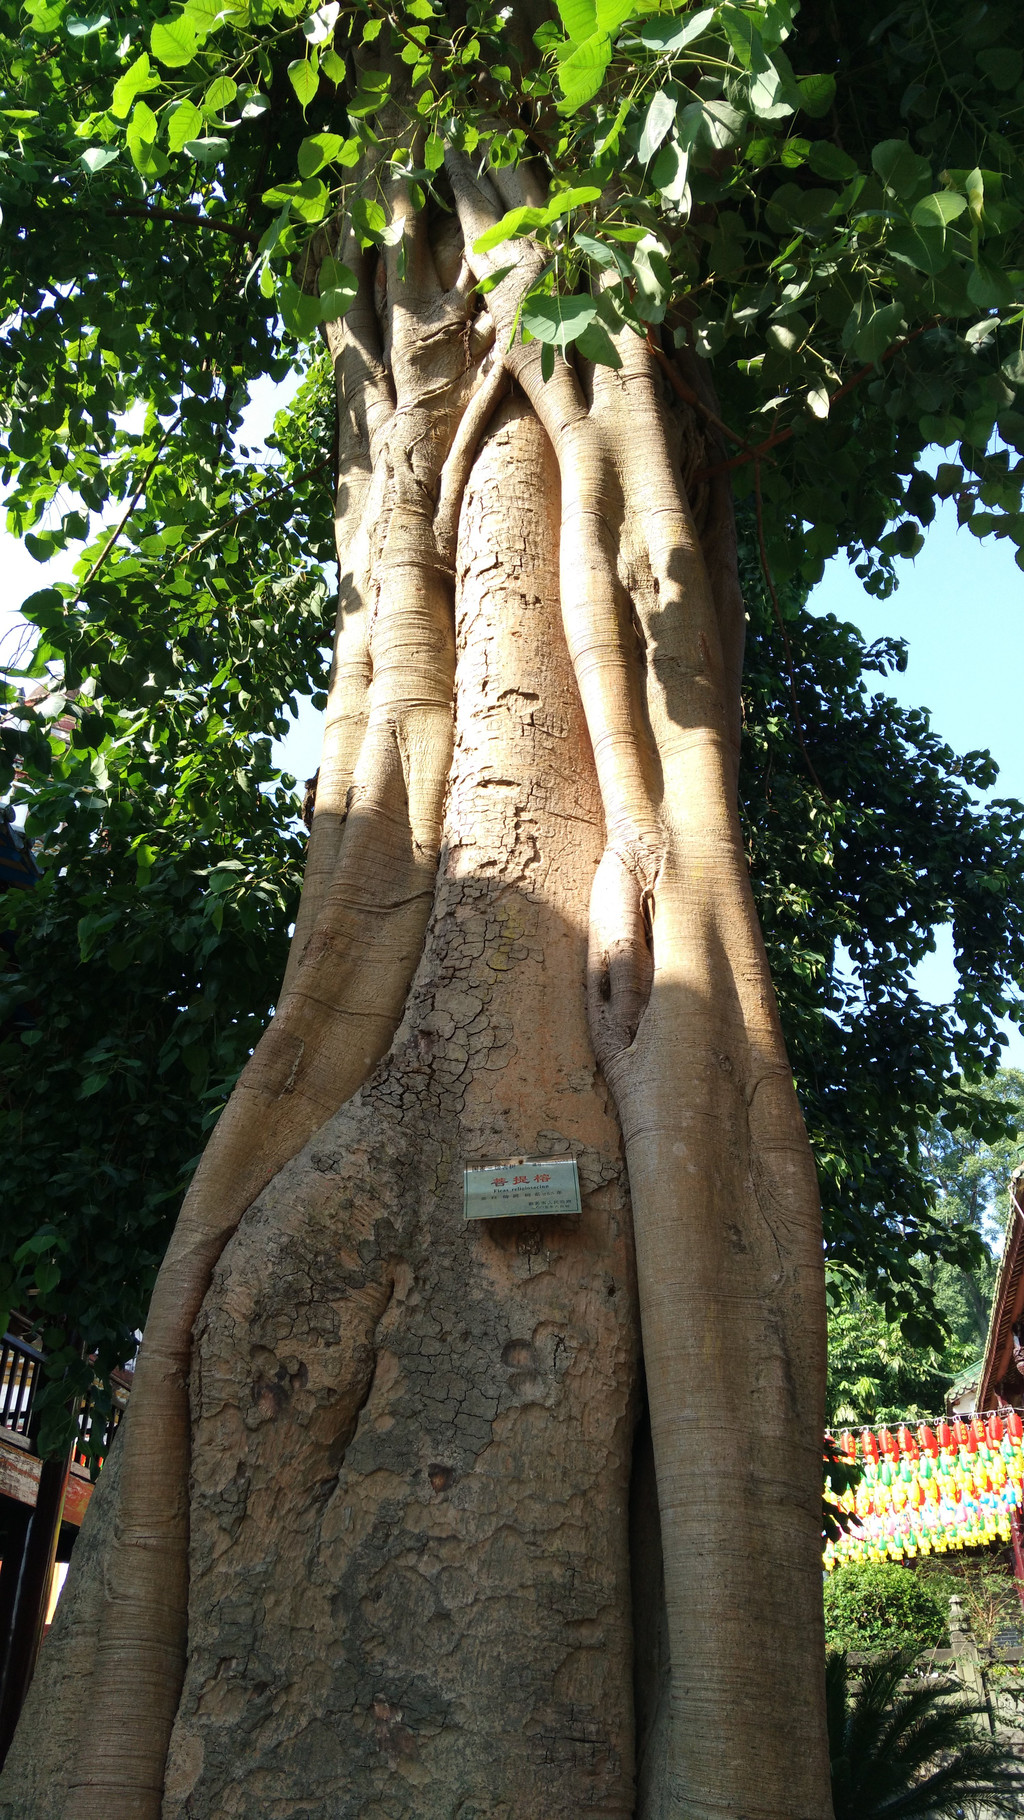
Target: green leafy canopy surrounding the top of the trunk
x,y
823,210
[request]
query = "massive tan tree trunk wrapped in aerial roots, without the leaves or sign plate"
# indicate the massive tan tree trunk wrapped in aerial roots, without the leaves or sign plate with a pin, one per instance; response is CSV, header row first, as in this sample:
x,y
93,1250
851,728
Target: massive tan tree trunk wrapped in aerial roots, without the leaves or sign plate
x,y
490,1519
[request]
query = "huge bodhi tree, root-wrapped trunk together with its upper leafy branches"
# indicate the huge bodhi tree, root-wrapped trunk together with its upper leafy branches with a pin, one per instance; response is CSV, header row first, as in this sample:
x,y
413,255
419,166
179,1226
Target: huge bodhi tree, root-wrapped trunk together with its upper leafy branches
x,y
414,1517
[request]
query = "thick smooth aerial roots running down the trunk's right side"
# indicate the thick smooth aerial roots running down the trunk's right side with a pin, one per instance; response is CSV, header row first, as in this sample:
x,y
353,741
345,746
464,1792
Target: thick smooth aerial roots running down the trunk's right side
x,y
725,1206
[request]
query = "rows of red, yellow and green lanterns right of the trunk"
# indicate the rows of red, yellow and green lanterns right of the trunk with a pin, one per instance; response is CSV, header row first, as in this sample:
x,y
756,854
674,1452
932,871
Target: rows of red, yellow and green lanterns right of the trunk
x,y
930,1490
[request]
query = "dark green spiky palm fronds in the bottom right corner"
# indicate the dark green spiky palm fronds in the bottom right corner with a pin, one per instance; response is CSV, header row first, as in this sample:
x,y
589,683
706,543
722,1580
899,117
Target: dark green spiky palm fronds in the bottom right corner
x,y
910,1754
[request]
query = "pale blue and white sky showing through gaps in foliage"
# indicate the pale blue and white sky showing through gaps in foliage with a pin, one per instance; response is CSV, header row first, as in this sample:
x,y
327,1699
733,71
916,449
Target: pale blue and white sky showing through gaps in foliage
x,y
958,605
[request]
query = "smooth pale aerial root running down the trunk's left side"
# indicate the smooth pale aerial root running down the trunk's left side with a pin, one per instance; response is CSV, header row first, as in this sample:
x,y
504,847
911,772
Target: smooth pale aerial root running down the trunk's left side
x,y
350,976
